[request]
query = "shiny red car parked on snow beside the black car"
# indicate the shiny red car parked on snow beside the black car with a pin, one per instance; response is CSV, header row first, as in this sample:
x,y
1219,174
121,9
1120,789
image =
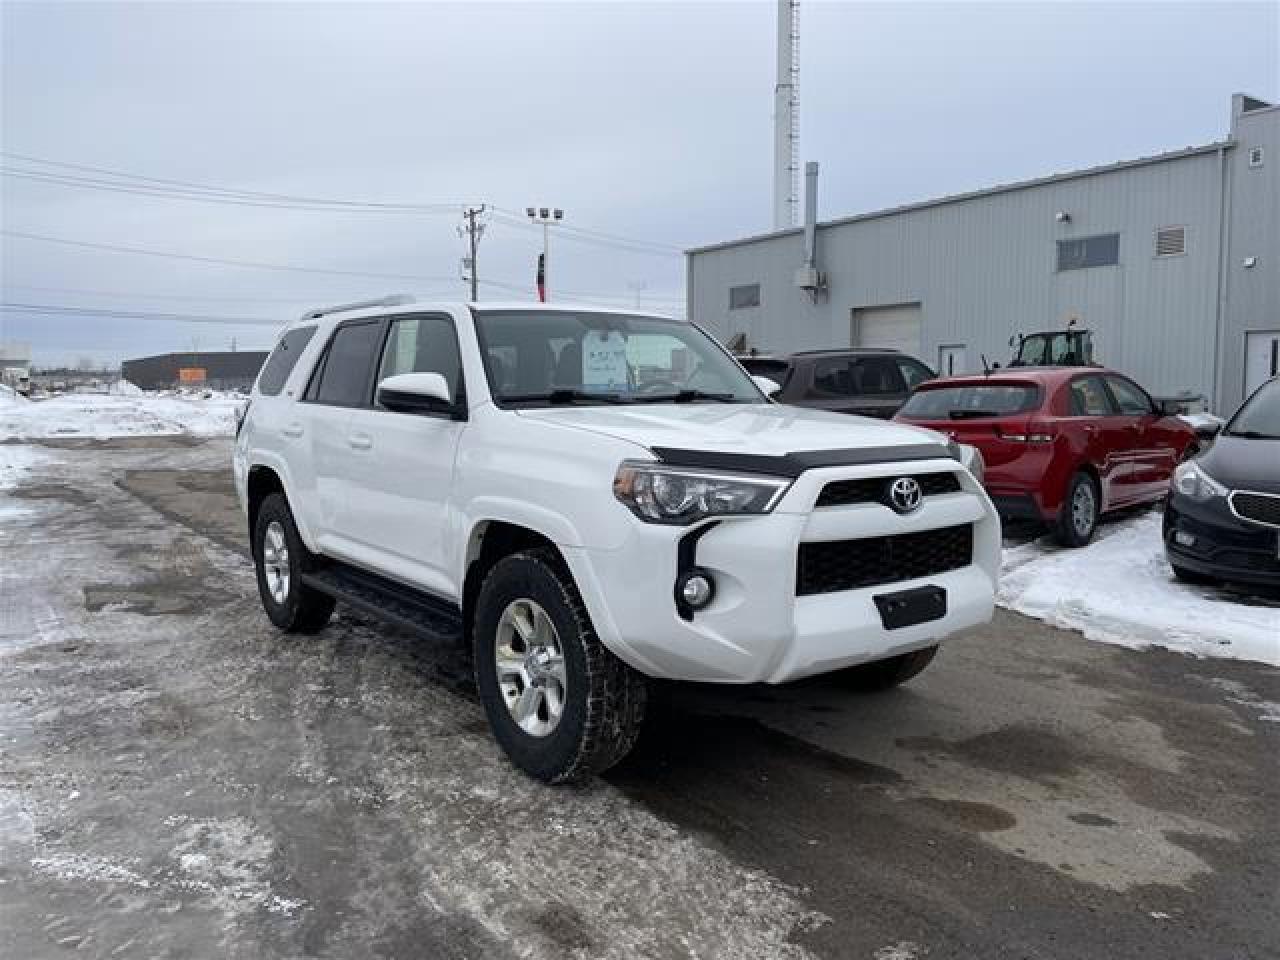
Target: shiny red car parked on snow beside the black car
x,y
1063,446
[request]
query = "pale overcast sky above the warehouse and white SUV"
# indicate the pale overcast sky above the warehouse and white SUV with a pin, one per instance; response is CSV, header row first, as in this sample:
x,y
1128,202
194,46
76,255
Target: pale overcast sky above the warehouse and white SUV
x,y
644,121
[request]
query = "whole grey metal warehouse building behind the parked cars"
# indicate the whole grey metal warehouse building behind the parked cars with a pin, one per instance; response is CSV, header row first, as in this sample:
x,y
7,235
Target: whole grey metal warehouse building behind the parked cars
x,y
1173,262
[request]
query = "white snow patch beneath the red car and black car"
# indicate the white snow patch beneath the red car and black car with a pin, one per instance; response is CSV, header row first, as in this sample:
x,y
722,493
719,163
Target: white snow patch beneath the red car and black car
x,y
1122,591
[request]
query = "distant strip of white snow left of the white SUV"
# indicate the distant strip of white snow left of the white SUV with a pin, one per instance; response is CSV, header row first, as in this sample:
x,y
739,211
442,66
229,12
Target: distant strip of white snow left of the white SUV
x,y
102,417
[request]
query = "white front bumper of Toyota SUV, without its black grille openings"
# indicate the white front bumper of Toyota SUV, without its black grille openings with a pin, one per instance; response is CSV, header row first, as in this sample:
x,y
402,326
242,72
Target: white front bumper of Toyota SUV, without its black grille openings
x,y
757,629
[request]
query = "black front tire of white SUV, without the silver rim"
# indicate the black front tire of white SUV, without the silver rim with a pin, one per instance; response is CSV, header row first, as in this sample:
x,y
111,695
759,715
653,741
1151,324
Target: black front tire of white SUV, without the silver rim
x,y
605,700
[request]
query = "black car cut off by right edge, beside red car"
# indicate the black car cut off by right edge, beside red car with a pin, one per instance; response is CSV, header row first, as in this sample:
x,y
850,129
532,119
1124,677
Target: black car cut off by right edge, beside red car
x,y
1223,516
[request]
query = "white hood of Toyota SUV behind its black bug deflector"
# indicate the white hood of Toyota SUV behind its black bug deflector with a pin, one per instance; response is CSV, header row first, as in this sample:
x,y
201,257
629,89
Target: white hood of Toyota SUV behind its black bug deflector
x,y
766,429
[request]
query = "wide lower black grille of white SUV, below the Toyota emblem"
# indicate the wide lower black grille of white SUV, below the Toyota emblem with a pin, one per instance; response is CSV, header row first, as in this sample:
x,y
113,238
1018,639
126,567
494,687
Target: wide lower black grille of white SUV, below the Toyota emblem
x,y
849,565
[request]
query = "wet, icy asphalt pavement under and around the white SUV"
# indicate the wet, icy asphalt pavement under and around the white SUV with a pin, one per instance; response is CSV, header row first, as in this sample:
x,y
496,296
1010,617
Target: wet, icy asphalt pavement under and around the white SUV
x,y
177,780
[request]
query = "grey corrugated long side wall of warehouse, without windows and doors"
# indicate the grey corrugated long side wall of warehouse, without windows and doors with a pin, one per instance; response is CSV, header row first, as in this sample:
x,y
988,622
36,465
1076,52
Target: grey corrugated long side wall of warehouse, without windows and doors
x,y
986,268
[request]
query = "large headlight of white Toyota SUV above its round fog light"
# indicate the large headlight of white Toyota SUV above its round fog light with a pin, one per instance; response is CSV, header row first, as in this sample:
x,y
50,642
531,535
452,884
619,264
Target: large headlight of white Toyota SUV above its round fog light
x,y
662,495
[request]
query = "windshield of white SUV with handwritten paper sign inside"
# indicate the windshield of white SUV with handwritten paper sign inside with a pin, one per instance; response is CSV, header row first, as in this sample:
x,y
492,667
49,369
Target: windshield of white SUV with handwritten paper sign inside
x,y
550,356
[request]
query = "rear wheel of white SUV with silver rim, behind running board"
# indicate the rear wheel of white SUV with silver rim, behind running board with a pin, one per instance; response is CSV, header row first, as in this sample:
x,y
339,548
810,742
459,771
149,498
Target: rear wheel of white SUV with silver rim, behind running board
x,y
281,557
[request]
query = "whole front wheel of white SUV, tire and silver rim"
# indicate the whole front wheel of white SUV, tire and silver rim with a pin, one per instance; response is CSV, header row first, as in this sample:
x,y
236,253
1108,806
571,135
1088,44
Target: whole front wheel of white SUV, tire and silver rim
x,y
561,706
